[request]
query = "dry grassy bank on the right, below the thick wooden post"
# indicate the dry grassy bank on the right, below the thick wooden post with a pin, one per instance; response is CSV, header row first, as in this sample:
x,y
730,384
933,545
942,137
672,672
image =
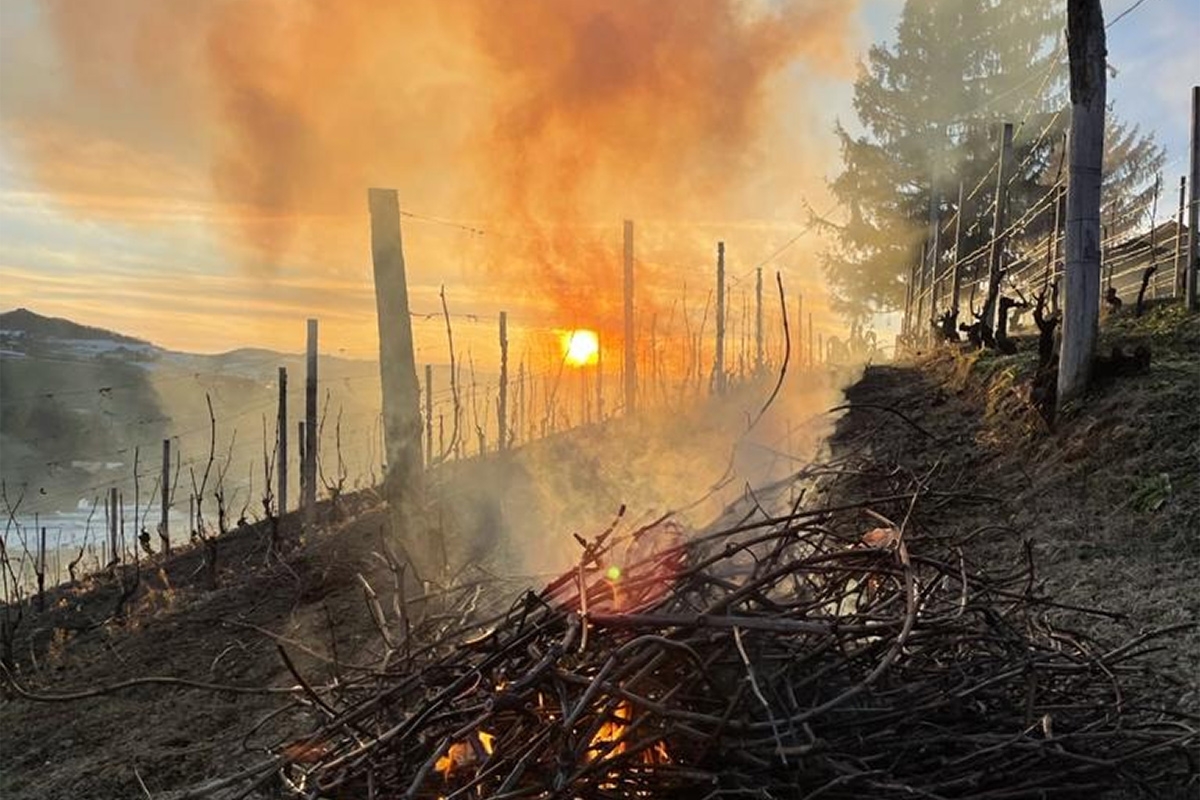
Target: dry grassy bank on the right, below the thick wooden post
x,y
1111,500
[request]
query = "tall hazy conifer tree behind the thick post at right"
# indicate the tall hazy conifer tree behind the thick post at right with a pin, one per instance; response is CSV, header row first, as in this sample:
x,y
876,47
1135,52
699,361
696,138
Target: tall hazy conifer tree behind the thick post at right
x,y
929,110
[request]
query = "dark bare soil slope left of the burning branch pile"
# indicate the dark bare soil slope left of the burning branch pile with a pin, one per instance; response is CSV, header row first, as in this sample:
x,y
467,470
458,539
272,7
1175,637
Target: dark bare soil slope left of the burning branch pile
x,y
178,628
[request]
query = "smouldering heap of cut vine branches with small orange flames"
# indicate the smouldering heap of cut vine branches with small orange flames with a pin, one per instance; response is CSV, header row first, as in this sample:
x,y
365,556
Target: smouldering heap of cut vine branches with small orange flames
x,y
823,653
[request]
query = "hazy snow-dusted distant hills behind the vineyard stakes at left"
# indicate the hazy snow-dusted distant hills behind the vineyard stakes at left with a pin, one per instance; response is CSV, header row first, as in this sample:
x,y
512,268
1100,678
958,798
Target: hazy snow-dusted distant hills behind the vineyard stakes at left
x,y
79,402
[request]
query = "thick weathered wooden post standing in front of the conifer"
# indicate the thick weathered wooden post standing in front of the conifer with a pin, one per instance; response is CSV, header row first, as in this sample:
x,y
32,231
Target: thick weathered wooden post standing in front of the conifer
x,y
1082,309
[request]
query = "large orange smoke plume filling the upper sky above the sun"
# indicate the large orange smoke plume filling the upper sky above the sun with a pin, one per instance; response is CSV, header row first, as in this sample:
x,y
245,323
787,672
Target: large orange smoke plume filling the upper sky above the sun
x,y
543,119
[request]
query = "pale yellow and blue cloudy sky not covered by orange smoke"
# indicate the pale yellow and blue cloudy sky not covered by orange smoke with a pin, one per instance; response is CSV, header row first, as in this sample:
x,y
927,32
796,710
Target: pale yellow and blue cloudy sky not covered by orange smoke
x,y
157,257
